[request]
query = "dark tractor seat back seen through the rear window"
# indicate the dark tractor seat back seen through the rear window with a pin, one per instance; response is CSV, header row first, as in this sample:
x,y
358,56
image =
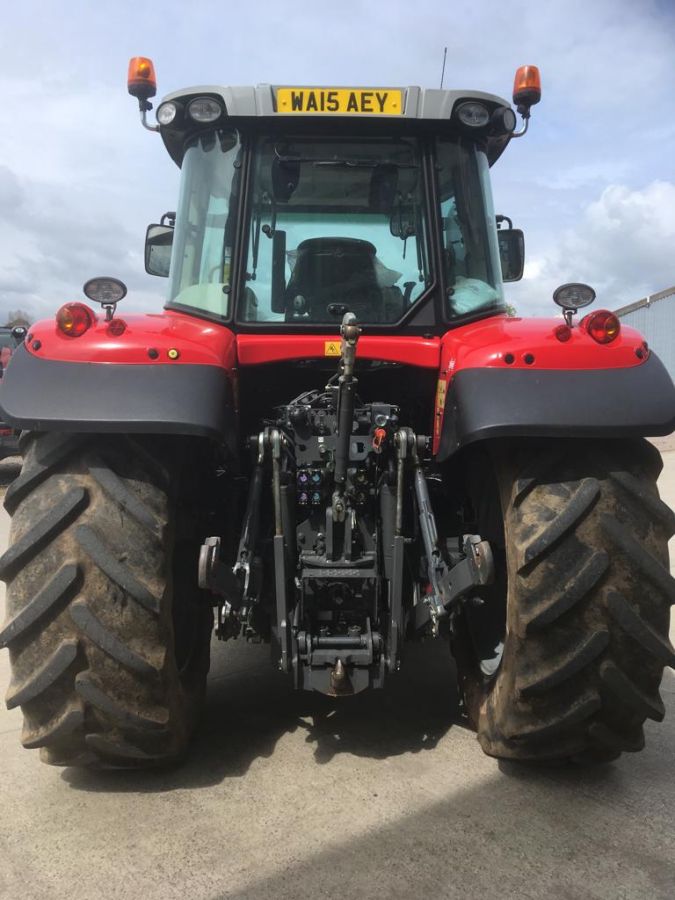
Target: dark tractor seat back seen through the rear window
x,y
332,276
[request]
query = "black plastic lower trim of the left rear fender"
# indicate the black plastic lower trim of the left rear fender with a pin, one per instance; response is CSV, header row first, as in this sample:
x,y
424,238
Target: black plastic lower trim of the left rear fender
x,y
51,395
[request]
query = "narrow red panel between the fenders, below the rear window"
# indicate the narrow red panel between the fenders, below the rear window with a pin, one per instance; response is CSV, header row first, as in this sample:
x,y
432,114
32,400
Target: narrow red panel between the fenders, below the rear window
x,y
254,349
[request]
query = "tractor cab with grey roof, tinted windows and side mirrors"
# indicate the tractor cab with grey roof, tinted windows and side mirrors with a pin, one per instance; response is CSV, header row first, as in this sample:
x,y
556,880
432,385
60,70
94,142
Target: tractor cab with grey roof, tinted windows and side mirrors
x,y
298,205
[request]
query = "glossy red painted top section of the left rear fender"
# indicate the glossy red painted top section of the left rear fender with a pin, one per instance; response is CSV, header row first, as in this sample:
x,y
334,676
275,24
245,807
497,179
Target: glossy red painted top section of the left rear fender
x,y
198,341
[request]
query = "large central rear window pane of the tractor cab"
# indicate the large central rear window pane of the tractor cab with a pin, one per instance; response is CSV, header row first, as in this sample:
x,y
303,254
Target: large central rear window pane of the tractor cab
x,y
336,225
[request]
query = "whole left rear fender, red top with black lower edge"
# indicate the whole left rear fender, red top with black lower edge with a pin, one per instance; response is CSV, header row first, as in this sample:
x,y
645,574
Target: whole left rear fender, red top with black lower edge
x,y
160,377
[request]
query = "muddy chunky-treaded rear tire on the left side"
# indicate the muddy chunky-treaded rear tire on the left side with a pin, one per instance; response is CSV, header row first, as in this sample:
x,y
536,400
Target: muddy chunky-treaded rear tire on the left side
x,y
102,674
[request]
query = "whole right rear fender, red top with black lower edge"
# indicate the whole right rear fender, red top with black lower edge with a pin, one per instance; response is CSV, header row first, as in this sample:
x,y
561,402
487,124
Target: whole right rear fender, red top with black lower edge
x,y
511,379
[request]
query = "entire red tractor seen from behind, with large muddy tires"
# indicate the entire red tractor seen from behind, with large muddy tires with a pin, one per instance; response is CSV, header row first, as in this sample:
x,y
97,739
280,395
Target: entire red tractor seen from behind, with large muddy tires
x,y
336,438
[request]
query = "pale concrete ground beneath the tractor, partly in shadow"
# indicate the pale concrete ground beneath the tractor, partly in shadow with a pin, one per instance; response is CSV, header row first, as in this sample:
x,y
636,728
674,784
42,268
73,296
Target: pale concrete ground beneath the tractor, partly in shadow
x,y
288,796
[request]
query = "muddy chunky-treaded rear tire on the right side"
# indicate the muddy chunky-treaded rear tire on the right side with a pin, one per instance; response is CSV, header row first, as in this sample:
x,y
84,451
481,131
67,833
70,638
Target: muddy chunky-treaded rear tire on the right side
x,y
588,593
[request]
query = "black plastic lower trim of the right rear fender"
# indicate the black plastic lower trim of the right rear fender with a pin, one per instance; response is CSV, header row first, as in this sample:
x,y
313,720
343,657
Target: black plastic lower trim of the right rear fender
x,y
490,402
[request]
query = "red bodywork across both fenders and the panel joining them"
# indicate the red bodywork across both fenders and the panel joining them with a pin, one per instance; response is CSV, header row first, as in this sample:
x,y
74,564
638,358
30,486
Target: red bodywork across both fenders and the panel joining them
x,y
486,343
